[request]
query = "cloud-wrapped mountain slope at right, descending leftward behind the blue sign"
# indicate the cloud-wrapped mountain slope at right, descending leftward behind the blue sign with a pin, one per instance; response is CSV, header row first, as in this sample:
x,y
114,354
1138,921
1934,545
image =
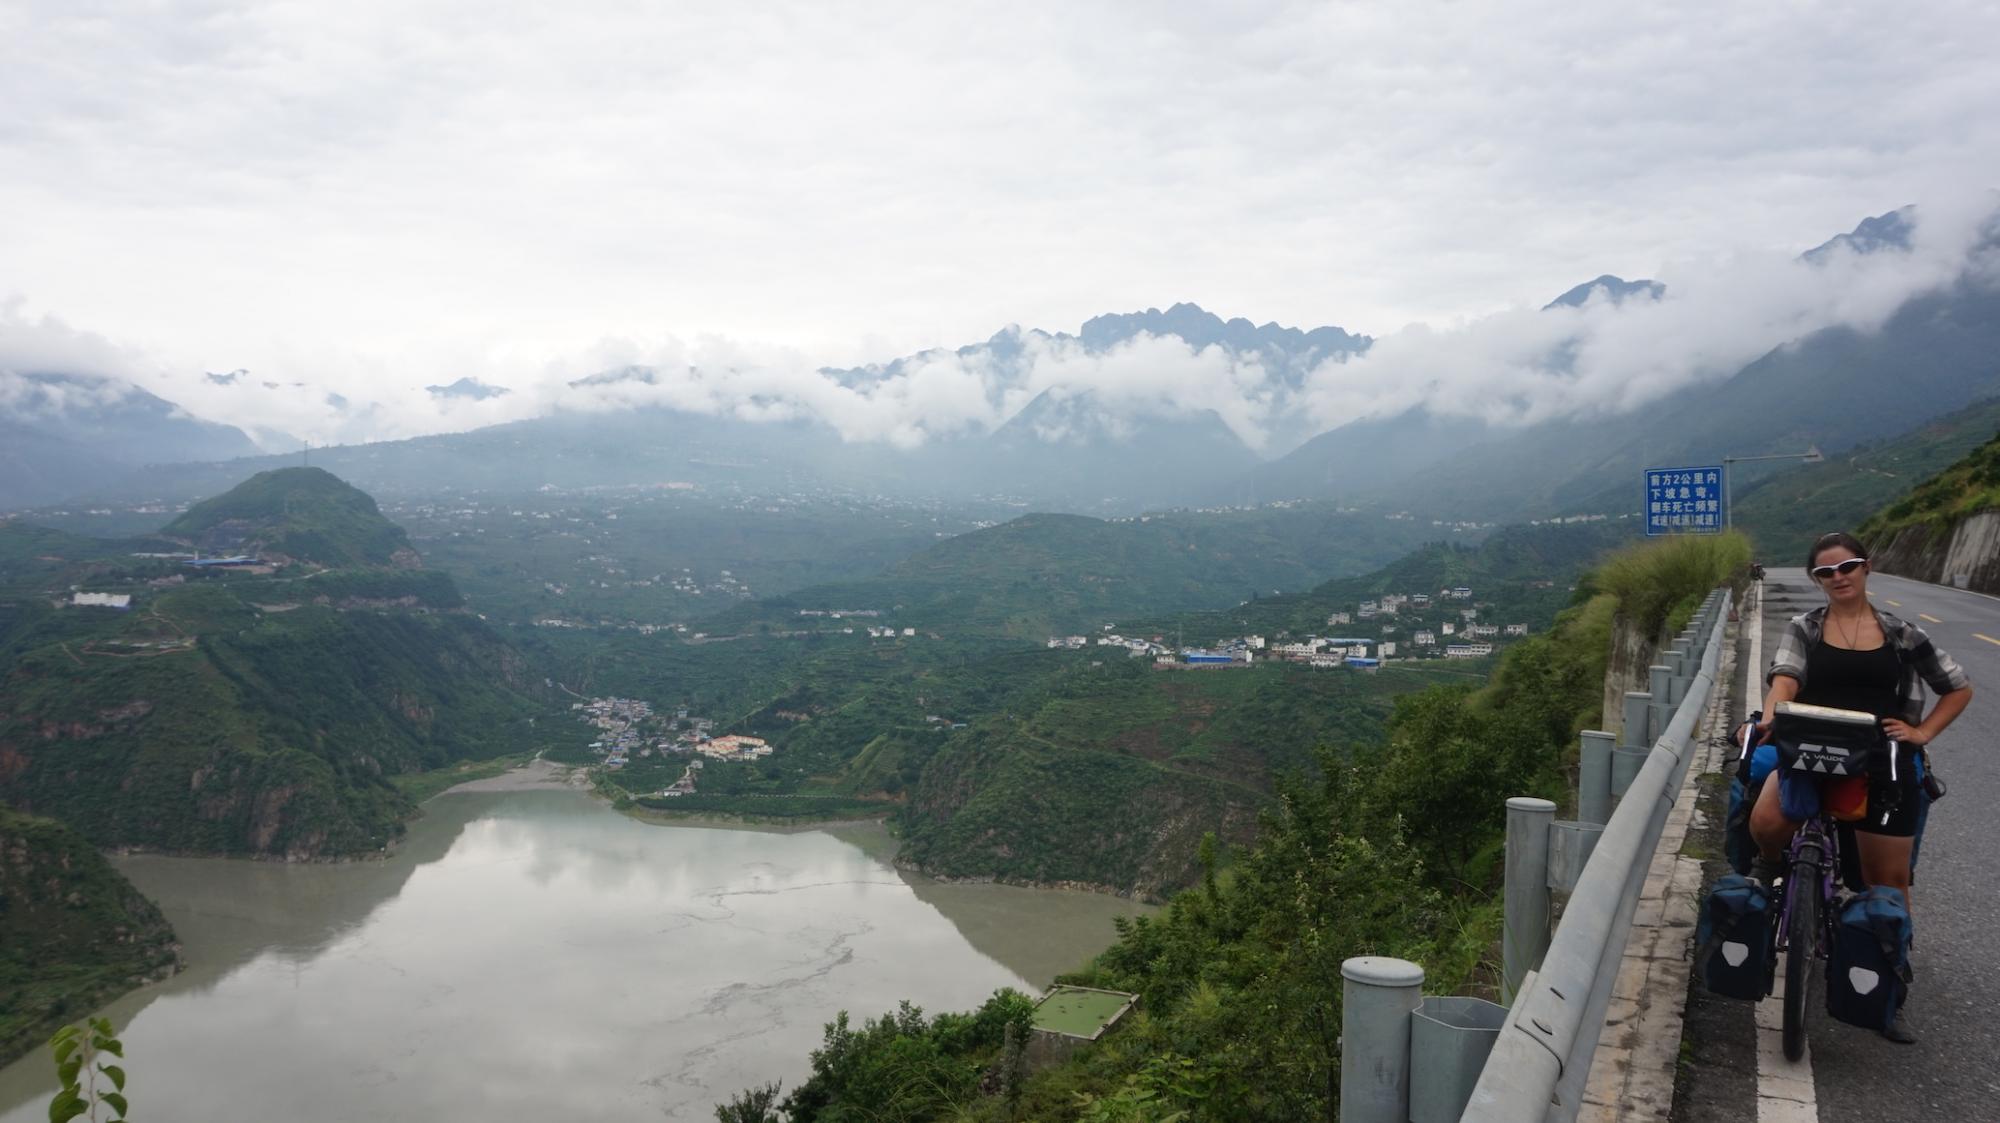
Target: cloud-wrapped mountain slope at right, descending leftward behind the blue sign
x,y
1891,331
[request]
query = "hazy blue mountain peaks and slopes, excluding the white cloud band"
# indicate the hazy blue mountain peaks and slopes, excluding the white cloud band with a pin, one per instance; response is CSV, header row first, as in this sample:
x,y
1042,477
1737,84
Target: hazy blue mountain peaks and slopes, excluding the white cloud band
x,y
1099,423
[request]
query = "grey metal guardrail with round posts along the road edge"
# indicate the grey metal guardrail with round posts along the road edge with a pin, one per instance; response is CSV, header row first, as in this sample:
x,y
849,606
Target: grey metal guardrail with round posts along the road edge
x,y
1541,1050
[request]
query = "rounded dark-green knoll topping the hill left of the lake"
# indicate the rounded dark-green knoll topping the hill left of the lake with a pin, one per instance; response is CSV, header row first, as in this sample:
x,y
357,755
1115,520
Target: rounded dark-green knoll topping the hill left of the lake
x,y
305,515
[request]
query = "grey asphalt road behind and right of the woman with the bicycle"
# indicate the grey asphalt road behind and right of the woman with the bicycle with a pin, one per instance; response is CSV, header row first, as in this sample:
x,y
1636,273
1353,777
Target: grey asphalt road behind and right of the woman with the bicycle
x,y
1955,1072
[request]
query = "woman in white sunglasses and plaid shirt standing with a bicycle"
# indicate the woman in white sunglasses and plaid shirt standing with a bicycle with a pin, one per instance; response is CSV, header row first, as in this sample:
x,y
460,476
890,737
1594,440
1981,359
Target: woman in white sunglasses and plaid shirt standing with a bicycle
x,y
1853,656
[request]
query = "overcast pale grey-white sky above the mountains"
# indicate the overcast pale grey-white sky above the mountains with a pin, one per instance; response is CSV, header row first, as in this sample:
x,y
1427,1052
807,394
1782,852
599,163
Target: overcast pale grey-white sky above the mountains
x,y
377,197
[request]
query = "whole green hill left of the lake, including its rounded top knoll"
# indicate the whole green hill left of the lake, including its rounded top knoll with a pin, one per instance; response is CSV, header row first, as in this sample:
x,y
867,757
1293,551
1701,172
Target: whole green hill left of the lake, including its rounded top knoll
x,y
255,710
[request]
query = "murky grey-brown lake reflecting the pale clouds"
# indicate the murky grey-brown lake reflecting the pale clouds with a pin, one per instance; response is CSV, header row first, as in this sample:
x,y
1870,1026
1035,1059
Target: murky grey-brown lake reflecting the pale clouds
x,y
535,956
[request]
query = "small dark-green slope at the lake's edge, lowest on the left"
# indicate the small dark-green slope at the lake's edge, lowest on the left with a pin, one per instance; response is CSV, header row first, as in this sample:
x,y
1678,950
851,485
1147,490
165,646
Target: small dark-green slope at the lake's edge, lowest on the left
x,y
73,932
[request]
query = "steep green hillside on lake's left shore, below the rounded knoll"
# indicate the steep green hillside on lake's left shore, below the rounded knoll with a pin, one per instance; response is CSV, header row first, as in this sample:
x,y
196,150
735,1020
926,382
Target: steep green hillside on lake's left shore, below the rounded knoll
x,y
199,722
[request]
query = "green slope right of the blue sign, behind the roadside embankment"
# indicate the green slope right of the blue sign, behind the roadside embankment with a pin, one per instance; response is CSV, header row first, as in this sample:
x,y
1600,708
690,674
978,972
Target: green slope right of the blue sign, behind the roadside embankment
x,y
1787,511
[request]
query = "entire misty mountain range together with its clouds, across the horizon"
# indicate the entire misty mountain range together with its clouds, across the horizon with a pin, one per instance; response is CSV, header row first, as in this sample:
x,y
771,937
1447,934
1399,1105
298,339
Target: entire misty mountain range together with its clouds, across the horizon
x,y
1525,413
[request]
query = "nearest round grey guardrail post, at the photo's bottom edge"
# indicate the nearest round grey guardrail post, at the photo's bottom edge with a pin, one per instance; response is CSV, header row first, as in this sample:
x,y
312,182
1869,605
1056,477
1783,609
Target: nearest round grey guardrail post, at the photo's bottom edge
x,y
1377,1000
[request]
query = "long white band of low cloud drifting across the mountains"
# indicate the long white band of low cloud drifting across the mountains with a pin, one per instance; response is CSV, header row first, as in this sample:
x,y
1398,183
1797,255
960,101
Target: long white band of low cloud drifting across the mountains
x,y
1517,367
